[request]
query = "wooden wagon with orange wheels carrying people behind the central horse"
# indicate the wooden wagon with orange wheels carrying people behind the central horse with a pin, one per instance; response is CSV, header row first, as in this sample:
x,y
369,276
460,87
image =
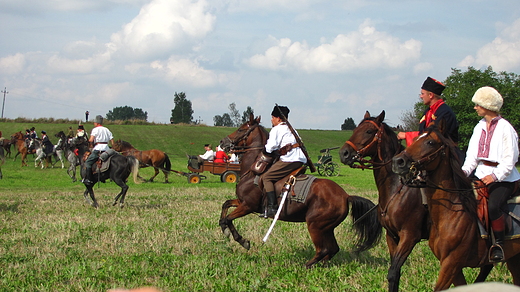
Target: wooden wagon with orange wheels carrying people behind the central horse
x,y
229,172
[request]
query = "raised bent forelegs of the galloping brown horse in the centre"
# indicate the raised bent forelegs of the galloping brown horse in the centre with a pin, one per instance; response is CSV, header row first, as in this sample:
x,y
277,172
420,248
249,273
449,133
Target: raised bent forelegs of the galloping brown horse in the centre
x,y
226,221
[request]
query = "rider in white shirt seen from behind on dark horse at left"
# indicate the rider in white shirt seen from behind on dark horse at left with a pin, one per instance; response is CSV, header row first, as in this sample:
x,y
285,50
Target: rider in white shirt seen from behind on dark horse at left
x,y
99,137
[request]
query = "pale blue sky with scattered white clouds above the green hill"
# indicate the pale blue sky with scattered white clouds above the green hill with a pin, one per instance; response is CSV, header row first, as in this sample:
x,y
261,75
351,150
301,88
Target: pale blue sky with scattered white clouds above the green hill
x,y
327,60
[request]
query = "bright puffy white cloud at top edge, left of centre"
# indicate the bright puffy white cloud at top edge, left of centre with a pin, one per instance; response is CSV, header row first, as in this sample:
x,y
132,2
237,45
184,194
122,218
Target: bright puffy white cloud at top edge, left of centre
x,y
163,26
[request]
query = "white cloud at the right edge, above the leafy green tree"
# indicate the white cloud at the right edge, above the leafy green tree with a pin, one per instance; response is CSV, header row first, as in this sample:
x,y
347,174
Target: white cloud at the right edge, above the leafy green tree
x,y
503,53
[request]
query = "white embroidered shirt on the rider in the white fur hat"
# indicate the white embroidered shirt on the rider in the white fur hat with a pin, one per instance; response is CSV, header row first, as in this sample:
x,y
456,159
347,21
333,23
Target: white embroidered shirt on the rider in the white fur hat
x,y
499,145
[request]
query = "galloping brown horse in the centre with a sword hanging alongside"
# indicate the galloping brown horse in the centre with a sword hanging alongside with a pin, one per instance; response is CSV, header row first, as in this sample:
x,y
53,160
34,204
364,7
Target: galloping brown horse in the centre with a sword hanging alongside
x,y
327,204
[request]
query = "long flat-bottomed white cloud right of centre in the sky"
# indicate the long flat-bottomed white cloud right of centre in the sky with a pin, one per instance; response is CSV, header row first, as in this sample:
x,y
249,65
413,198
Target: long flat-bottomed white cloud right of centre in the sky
x,y
365,48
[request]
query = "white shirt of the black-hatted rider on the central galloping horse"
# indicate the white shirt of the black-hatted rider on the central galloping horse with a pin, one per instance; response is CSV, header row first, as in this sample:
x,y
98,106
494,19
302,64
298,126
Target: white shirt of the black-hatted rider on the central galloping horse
x,y
280,136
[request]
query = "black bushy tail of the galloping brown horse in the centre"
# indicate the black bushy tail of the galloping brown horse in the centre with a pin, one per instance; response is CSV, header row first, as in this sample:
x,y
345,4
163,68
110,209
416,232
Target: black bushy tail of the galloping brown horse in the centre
x,y
366,222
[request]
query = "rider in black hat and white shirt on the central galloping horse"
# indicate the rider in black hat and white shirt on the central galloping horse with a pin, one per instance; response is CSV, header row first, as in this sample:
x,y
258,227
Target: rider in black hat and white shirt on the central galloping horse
x,y
281,140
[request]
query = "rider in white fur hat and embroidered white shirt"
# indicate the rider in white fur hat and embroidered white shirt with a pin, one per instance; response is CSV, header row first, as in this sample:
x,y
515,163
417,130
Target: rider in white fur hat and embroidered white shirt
x,y
493,153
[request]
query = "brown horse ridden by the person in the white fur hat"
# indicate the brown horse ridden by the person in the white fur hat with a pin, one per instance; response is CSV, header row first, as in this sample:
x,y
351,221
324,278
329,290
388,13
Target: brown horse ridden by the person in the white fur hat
x,y
454,233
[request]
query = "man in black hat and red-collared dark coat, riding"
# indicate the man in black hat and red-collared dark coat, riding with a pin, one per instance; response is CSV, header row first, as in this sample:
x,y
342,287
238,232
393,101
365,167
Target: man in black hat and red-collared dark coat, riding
x,y
431,91
